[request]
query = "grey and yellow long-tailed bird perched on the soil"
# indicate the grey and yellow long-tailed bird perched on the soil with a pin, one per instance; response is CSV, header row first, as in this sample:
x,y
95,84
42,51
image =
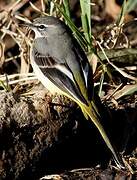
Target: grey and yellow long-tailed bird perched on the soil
x,y
61,65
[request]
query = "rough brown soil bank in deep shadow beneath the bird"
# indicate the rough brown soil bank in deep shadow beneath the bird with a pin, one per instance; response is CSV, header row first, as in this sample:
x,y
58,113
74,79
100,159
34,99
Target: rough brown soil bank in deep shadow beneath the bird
x,y
39,136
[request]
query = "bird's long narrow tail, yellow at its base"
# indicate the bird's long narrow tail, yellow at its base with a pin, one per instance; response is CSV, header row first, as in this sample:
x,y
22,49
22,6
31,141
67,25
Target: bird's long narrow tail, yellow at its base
x,y
90,111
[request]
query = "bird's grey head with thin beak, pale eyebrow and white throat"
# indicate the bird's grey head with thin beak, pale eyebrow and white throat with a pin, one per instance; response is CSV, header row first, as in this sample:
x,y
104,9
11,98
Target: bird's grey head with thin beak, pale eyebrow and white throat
x,y
47,26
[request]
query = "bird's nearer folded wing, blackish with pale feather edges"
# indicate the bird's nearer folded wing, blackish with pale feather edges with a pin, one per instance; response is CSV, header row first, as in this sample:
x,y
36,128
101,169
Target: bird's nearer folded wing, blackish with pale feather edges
x,y
59,74
